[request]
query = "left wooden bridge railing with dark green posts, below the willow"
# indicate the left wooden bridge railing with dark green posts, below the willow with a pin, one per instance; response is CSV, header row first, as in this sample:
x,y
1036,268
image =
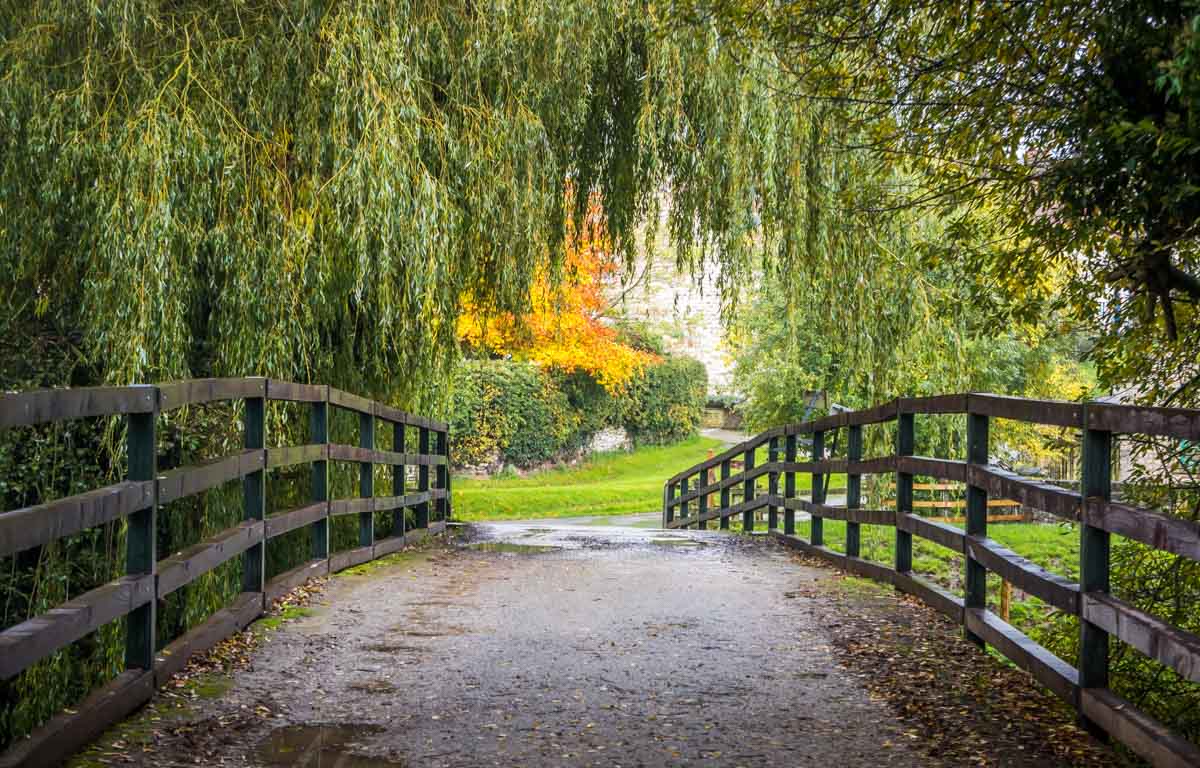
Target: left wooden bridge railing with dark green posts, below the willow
x,y
137,499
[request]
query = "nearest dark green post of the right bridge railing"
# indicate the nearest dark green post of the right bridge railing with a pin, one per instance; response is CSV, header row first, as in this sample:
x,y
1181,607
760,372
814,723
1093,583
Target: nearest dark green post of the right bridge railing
x,y
1094,559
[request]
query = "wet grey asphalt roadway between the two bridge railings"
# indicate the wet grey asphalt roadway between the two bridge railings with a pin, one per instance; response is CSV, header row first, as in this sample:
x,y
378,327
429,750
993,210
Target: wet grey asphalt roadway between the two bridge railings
x,y
544,645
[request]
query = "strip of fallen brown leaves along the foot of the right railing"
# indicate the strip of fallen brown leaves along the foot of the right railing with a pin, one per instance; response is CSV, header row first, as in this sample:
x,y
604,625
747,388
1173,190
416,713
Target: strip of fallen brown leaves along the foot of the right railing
x,y
962,706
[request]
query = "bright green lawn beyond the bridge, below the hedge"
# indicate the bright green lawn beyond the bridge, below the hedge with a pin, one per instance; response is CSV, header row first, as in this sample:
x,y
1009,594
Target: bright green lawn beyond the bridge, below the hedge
x,y
605,484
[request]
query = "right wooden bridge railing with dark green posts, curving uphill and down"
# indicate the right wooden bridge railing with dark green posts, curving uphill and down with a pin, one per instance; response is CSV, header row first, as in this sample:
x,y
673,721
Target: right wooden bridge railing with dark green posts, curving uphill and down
x,y
686,502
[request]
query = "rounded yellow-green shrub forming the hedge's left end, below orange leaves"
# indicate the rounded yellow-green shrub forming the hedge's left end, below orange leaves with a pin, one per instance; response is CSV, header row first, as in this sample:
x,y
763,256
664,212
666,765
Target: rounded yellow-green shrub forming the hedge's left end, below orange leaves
x,y
511,411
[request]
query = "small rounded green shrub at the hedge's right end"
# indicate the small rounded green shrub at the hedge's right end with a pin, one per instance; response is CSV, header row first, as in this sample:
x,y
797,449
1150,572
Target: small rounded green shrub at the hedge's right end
x,y
669,403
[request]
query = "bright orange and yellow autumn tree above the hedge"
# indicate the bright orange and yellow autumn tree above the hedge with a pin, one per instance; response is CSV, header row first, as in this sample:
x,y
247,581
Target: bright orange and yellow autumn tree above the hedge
x,y
565,327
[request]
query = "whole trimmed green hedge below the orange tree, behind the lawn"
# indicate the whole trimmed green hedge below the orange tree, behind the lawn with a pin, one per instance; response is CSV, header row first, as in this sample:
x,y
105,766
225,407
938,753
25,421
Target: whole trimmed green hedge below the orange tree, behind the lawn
x,y
515,413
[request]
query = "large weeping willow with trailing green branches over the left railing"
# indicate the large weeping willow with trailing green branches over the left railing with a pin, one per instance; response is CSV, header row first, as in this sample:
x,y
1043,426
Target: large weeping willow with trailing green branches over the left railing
x,y
313,190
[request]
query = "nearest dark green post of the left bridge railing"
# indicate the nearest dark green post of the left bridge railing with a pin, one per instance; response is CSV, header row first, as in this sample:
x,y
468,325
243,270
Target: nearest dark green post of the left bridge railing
x,y
141,557
